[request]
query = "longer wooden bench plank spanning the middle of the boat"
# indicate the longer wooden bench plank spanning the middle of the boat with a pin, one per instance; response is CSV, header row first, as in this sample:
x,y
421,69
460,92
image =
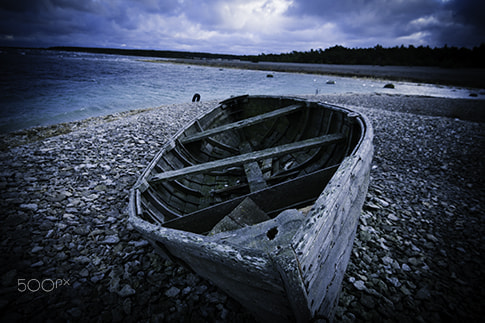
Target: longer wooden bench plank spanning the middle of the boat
x,y
249,157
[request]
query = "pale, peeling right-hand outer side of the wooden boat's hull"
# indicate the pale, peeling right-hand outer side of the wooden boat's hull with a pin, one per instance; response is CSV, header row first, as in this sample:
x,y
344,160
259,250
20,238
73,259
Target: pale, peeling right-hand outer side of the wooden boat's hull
x,y
324,244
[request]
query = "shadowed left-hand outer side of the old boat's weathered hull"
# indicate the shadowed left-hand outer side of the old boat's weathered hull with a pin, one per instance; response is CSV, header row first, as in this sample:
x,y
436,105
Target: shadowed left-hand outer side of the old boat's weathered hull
x,y
234,274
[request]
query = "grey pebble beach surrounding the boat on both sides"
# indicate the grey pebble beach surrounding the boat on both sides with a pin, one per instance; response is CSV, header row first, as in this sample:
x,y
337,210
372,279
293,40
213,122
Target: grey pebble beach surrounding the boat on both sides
x,y
69,254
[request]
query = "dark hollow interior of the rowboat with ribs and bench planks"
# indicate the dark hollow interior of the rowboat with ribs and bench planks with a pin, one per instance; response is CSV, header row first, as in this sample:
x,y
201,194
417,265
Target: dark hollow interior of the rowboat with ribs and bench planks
x,y
279,152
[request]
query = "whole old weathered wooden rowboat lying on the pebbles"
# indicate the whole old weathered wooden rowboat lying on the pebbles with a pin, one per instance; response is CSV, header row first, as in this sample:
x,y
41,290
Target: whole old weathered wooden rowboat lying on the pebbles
x,y
262,197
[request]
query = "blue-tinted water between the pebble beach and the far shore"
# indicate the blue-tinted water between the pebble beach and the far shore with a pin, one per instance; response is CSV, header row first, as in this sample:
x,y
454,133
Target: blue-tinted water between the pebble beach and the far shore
x,y
46,87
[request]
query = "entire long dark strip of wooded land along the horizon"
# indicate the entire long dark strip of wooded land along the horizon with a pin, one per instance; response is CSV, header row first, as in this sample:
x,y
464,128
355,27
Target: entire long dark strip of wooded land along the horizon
x,y
451,57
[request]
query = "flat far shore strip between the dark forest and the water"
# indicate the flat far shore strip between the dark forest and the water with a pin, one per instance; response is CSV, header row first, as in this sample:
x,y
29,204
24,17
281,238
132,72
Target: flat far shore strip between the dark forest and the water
x,y
464,77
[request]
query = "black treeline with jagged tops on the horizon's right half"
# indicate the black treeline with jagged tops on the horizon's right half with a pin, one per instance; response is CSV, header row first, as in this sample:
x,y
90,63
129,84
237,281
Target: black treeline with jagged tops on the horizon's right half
x,y
404,56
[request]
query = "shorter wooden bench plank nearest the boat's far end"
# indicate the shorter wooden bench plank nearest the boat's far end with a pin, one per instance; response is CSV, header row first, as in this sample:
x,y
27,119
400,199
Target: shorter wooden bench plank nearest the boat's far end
x,y
242,123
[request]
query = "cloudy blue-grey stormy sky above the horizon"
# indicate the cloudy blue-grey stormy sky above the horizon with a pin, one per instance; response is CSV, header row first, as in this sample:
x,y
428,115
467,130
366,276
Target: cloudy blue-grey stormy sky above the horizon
x,y
241,26
